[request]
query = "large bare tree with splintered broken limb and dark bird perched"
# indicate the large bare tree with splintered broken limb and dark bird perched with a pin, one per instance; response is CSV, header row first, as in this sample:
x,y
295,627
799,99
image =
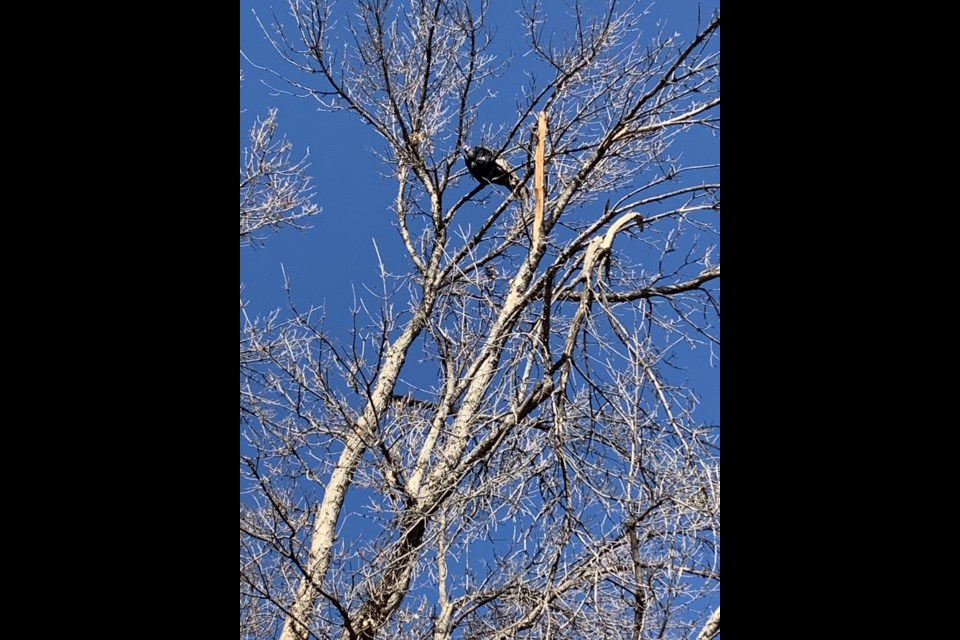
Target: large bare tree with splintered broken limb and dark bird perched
x,y
552,479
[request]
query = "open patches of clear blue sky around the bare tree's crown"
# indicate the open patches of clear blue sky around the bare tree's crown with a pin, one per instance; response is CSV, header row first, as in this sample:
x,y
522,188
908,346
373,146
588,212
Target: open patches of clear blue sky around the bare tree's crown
x,y
330,264
